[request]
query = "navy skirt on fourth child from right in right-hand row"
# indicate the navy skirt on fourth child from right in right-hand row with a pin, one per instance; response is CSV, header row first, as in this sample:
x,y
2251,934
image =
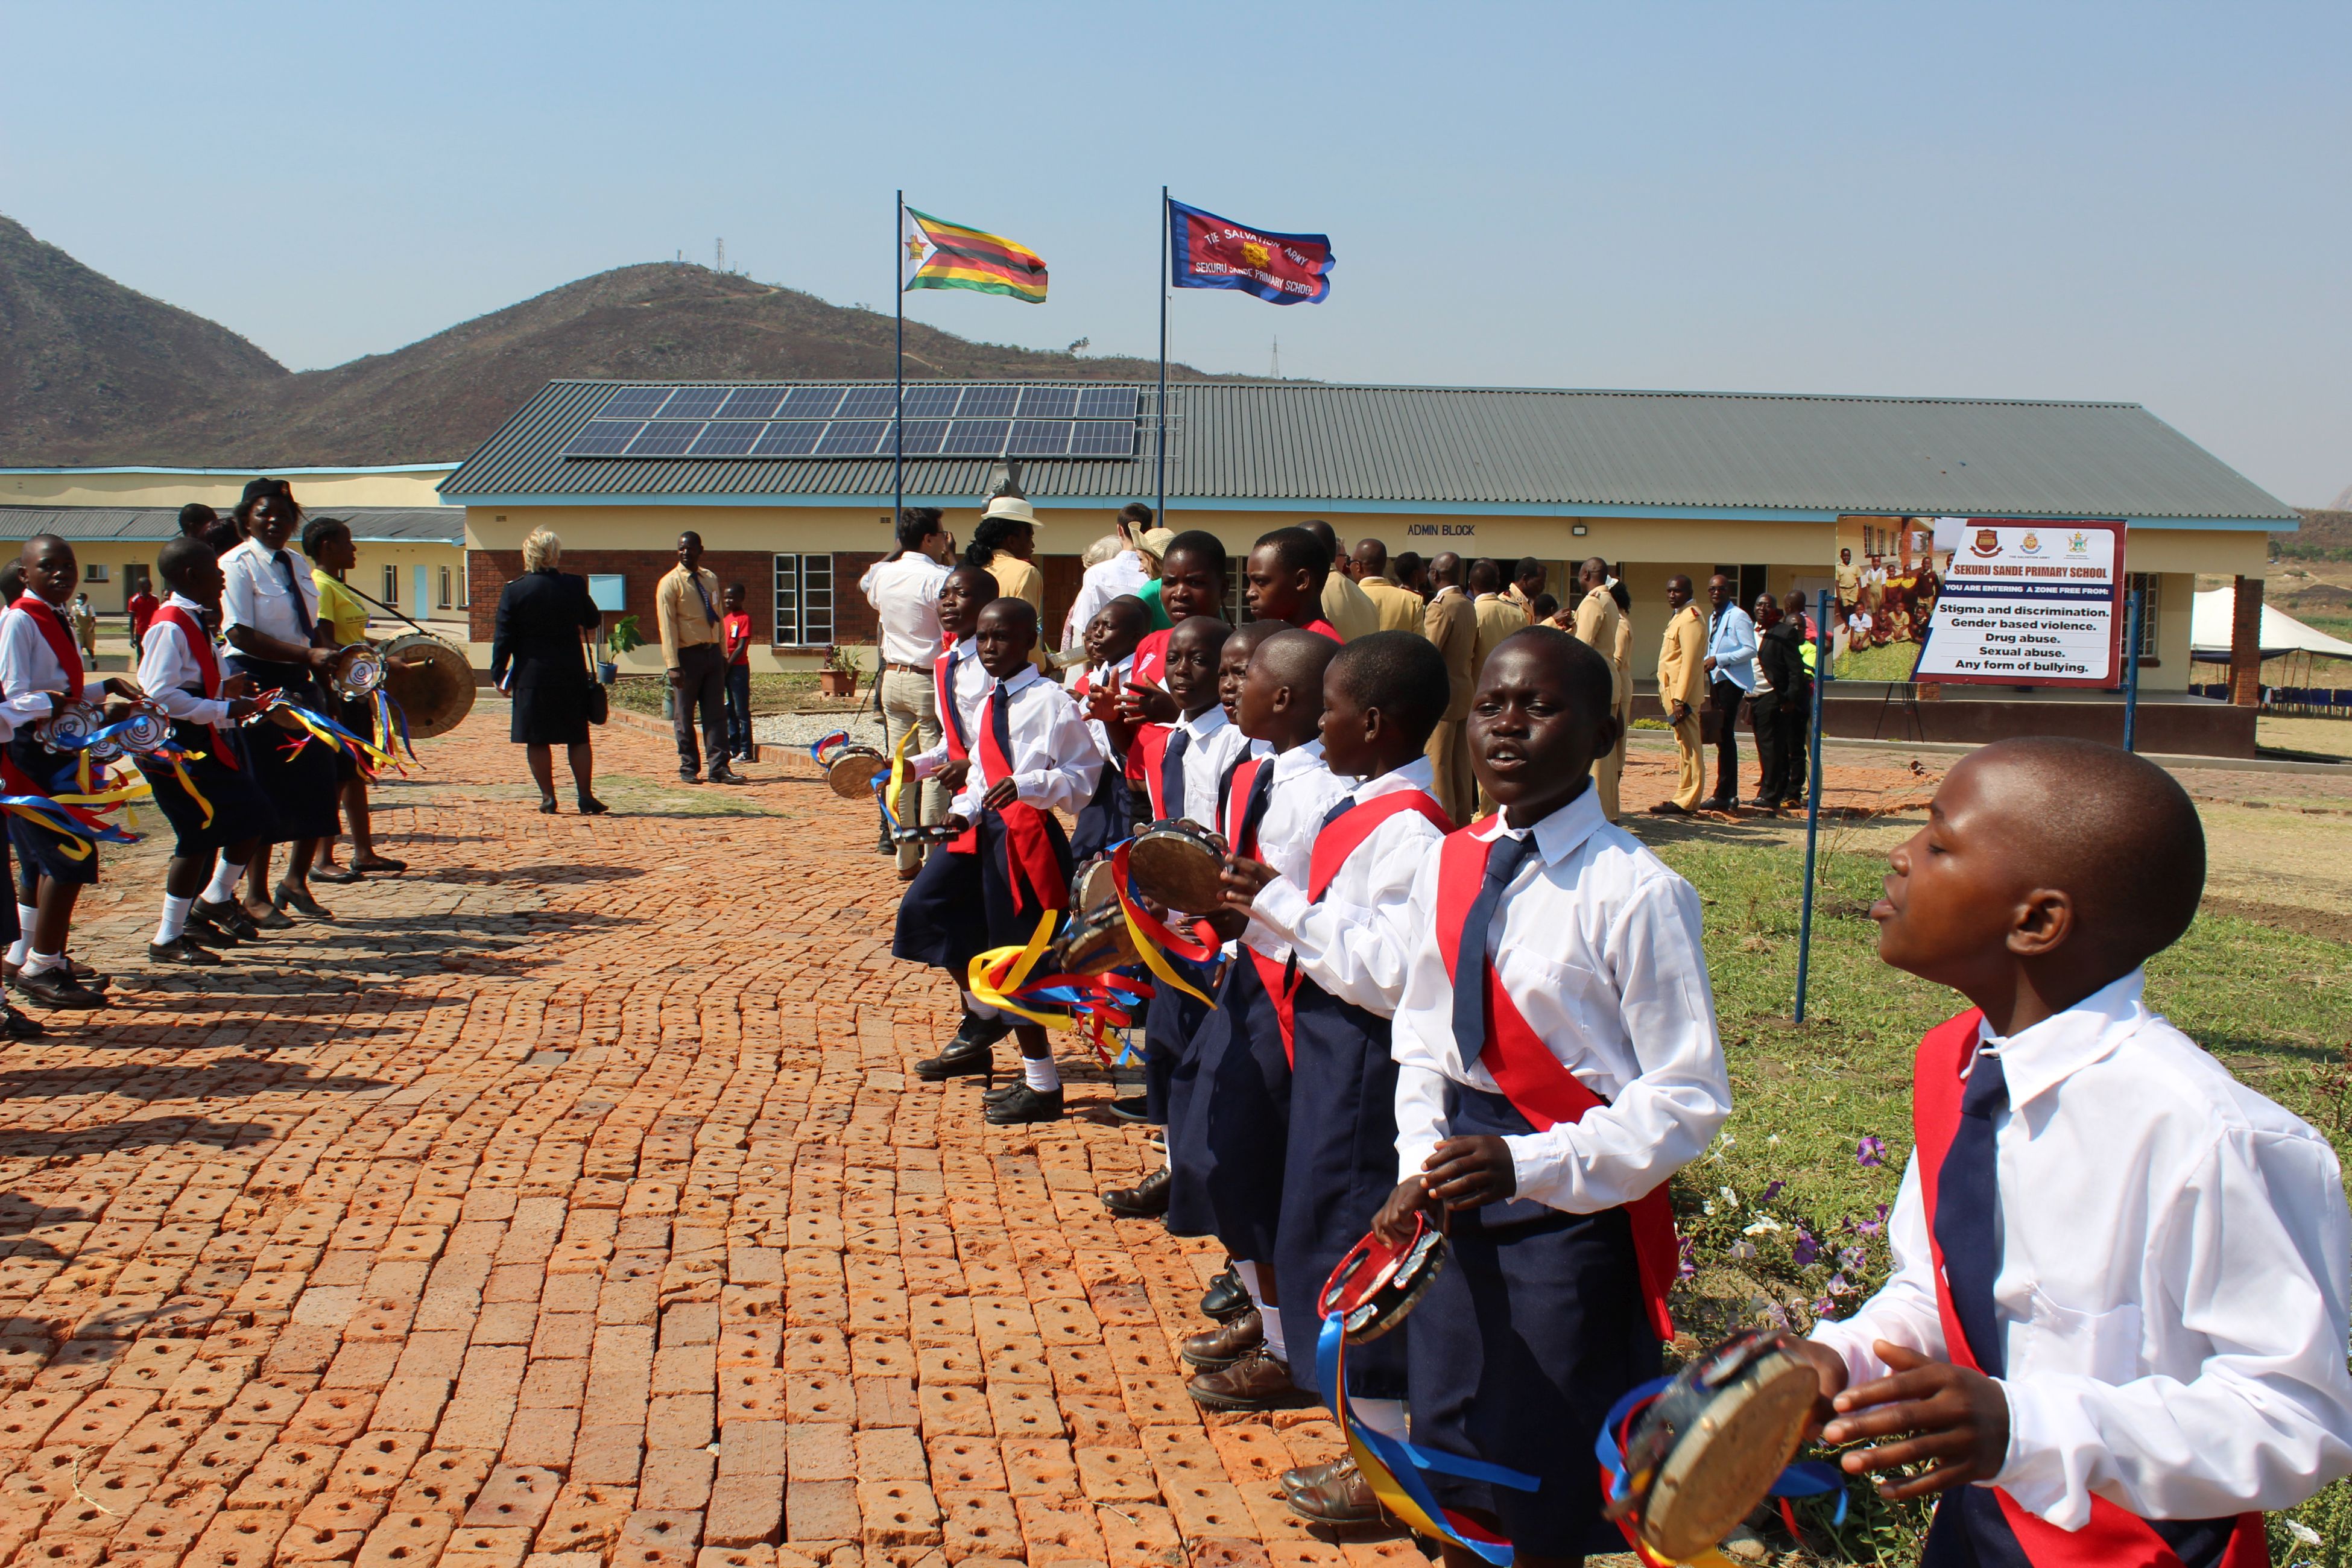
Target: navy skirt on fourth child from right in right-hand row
x,y
1229,1123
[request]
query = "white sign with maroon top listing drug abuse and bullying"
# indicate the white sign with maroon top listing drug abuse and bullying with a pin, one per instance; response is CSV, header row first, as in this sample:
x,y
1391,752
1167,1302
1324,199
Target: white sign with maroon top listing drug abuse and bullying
x,y
2029,603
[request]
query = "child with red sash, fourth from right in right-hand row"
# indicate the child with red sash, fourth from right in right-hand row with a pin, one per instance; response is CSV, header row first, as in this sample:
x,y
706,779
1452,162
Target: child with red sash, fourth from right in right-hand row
x,y
1229,1108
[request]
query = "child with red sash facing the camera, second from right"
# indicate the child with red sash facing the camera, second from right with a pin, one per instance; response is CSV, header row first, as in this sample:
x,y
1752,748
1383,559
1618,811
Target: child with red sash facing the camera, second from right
x,y
1556,1066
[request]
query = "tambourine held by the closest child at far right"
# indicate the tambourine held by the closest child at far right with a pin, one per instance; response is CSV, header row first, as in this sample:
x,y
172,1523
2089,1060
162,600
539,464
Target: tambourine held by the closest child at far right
x,y
1713,1442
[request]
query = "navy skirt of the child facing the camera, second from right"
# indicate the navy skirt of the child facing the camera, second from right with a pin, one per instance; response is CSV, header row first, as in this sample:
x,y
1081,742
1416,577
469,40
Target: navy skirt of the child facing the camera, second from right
x,y
1528,1336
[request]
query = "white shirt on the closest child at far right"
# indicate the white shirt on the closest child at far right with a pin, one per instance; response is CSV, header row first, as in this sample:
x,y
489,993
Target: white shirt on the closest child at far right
x,y
2172,1292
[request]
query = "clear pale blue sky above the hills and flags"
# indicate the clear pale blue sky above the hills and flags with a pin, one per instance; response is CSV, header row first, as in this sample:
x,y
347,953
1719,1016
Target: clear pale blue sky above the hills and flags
x,y
2010,201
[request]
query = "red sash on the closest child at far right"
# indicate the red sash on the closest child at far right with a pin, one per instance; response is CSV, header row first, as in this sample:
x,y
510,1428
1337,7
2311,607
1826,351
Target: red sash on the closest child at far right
x,y
2116,1536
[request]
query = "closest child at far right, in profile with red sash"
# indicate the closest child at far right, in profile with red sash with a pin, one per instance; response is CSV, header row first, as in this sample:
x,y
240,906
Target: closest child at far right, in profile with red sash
x,y
2116,1329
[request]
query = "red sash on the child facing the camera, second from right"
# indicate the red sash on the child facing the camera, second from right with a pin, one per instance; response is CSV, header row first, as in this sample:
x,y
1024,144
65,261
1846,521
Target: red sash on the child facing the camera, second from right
x,y
1532,1078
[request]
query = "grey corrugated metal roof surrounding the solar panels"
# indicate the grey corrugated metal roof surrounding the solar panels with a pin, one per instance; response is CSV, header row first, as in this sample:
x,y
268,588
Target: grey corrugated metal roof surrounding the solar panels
x,y
1330,445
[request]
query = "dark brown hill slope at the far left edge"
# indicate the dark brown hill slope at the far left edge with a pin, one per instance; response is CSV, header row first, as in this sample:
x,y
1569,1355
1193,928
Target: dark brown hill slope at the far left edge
x,y
88,366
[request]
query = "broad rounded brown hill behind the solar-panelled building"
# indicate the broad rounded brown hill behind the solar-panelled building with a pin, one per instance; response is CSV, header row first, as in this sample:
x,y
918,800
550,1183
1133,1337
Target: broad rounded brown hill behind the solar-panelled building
x,y
446,396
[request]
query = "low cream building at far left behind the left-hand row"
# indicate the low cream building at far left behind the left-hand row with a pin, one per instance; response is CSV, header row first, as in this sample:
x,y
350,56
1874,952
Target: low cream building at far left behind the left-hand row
x,y
410,542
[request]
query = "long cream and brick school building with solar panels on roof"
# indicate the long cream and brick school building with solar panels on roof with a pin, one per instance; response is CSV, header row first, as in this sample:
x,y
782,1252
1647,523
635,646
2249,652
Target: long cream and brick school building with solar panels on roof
x,y
791,490
